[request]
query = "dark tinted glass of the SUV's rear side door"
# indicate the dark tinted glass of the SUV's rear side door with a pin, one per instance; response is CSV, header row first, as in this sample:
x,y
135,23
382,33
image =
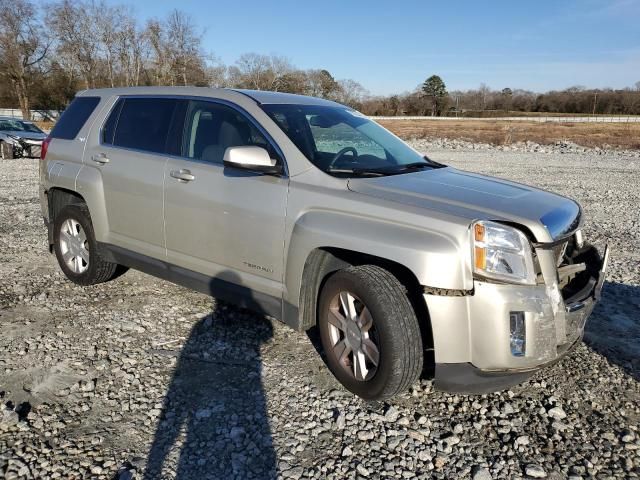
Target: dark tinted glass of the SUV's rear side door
x,y
144,123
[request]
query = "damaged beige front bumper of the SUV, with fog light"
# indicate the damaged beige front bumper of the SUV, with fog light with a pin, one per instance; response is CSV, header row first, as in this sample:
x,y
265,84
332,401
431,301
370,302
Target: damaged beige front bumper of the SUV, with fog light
x,y
501,334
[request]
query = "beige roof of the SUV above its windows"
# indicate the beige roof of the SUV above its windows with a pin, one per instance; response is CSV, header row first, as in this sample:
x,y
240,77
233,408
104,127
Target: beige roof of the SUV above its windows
x,y
259,96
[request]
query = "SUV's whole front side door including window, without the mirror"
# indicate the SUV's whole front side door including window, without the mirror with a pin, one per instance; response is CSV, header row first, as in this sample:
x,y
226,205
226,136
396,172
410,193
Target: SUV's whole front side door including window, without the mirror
x,y
224,222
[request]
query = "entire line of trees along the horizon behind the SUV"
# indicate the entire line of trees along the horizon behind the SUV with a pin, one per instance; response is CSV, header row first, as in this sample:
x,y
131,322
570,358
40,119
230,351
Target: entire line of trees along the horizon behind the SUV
x,y
89,44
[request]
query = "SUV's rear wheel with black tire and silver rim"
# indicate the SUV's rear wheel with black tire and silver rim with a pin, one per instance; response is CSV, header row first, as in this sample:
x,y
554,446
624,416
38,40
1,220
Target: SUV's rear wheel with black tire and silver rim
x,y
79,257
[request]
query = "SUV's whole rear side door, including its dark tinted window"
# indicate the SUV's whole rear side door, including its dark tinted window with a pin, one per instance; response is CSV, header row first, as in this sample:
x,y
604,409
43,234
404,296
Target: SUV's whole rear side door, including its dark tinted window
x,y
131,156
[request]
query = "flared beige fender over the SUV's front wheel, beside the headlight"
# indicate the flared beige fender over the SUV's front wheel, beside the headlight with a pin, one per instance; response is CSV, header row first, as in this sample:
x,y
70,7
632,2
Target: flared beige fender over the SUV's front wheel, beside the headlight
x,y
438,259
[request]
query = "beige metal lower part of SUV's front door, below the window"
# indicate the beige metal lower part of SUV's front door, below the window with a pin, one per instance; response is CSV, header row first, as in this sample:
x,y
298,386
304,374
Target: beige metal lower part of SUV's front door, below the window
x,y
226,224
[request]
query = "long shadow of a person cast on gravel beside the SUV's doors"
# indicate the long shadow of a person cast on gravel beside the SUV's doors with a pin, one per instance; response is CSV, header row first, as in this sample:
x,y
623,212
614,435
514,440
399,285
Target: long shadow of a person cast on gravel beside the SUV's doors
x,y
214,421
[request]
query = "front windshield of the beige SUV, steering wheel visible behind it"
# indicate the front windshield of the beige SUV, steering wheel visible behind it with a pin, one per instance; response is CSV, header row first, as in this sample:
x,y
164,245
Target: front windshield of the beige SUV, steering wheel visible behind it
x,y
342,141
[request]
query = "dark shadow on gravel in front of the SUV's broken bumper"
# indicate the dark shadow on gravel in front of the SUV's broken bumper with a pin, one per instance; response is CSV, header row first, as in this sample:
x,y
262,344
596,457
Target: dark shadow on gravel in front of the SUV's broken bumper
x,y
613,329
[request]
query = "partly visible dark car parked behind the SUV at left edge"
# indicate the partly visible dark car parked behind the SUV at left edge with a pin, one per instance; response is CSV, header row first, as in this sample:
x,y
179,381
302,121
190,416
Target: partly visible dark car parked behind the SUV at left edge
x,y
19,138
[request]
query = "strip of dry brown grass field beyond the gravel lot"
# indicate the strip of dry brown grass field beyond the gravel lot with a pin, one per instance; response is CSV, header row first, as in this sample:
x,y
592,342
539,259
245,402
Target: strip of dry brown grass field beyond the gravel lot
x,y
620,135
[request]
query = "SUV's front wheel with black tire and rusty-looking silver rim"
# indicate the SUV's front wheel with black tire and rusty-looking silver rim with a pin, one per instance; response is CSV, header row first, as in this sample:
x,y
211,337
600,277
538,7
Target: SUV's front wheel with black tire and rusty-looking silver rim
x,y
390,324
